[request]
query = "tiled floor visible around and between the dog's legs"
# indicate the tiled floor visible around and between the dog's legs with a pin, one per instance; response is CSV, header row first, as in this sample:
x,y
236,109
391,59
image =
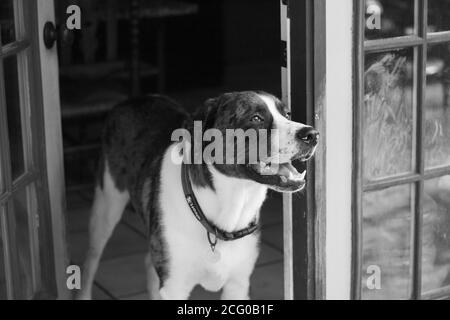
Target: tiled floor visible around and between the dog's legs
x,y
121,274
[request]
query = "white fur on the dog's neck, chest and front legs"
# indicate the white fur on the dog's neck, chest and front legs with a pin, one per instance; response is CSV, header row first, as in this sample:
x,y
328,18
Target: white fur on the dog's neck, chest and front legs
x,y
234,205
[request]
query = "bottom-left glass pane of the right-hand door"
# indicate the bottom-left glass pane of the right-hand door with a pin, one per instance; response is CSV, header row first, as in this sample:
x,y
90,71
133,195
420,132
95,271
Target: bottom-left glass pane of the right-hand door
x,y
386,242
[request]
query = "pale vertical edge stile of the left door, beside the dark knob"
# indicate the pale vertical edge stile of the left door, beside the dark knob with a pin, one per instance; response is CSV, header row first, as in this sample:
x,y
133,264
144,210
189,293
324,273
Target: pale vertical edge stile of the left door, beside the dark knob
x,y
49,79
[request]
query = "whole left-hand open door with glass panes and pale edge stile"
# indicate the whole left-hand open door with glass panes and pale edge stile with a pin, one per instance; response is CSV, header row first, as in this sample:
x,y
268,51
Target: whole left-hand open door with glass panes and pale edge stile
x,y
32,246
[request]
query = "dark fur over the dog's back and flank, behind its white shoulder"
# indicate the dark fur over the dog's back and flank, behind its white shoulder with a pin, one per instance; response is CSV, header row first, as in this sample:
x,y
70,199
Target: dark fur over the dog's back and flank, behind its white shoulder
x,y
136,135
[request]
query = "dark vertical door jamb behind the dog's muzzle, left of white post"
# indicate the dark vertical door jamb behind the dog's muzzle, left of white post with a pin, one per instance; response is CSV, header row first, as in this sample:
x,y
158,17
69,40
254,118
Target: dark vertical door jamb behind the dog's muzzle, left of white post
x,y
303,90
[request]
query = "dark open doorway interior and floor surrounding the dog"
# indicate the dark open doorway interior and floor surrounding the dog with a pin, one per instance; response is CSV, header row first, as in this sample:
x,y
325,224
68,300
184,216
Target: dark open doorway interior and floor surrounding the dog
x,y
201,50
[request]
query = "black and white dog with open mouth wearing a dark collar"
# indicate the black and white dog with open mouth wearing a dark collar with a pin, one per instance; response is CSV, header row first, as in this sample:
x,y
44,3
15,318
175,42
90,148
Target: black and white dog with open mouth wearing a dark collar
x,y
202,219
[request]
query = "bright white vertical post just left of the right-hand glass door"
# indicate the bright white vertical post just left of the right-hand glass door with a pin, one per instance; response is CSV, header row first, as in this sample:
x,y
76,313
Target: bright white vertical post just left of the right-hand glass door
x,y
339,152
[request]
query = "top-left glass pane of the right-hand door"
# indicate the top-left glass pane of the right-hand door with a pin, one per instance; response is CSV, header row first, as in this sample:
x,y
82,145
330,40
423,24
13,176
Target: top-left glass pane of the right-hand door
x,y
396,18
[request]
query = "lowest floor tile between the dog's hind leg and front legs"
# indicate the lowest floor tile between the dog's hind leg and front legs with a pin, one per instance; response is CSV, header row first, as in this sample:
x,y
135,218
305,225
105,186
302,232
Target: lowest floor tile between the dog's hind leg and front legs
x,y
123,276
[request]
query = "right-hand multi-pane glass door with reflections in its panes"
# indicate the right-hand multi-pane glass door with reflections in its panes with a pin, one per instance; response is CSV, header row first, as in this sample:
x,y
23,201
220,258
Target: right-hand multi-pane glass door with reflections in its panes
x,y
402,150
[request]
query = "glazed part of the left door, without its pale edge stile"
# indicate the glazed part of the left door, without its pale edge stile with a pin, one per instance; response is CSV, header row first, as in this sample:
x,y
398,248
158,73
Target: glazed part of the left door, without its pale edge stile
x,y
26,250
